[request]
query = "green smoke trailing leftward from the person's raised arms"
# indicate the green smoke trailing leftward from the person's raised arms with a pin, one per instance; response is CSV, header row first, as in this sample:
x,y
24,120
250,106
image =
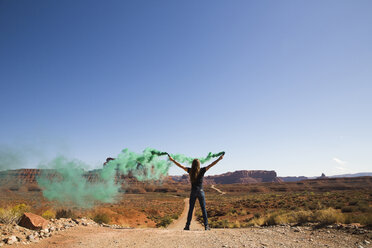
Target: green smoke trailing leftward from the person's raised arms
x,y
68,182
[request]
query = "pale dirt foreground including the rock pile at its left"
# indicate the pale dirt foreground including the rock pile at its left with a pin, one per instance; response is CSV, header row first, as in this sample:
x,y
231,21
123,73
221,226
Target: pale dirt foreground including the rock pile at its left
x,y
86,233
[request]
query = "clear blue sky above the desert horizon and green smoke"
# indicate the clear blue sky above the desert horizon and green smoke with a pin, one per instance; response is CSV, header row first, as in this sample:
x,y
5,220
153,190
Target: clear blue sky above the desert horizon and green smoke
x,y
278,85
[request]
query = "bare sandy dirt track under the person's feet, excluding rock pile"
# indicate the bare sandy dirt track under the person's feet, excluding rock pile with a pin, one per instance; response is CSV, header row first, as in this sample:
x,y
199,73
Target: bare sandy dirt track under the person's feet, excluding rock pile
x,y
175,236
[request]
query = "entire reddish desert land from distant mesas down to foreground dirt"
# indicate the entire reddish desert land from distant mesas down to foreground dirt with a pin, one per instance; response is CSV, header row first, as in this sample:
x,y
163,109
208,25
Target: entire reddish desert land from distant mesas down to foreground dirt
x,y
259,211
